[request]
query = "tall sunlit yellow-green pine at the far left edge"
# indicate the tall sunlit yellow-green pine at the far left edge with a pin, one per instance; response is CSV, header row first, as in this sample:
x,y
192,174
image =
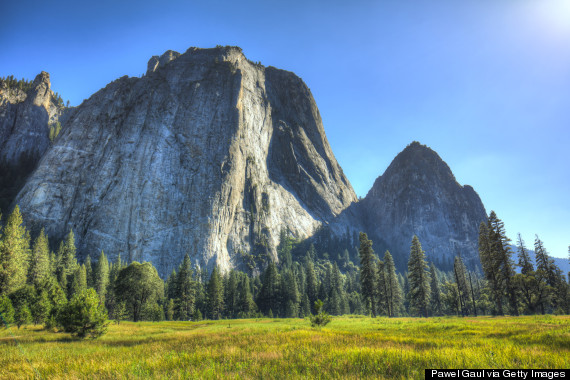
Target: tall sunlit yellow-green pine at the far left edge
x,y
14,253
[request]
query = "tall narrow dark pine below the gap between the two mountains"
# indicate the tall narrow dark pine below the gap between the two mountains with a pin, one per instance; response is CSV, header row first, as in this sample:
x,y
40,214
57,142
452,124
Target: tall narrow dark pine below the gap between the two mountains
x,y
368,274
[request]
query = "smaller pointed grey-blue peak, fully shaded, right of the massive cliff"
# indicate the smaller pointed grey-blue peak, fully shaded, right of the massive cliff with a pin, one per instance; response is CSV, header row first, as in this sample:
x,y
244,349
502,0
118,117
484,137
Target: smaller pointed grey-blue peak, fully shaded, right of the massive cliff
x,y
418,194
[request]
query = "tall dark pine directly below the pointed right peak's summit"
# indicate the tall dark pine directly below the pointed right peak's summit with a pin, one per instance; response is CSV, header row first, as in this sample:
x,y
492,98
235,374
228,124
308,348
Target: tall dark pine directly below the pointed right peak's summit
x,y
418,276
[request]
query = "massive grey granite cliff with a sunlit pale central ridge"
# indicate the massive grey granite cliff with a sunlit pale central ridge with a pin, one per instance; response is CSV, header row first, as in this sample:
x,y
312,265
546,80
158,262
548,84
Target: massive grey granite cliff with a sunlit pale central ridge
x,y
207,154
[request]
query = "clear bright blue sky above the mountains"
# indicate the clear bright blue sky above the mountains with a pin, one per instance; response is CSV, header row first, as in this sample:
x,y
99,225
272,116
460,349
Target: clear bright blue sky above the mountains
x,y
484,83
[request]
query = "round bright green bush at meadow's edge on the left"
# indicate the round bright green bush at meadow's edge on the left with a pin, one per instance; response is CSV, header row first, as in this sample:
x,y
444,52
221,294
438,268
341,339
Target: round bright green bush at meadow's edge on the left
x,y
83,316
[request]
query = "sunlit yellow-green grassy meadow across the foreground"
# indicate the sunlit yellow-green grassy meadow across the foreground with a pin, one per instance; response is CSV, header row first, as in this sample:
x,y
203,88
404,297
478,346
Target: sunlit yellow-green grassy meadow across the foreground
x,y
349,347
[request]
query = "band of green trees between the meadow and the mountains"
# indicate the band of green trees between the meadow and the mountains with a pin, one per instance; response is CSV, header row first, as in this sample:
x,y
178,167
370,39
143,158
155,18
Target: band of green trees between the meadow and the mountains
x,y
45,287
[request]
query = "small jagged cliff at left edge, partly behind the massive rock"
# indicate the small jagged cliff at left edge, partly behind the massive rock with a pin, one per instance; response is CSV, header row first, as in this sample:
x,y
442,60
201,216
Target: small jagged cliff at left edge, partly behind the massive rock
x,y
24,132
